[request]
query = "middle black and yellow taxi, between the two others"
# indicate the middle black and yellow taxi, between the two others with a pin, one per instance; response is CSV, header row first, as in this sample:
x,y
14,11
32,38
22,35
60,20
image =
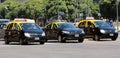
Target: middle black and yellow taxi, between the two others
x,y
63,31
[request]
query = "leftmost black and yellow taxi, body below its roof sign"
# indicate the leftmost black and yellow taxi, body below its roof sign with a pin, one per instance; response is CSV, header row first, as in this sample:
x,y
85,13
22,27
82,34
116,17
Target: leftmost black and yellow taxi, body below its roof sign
x,y
23,32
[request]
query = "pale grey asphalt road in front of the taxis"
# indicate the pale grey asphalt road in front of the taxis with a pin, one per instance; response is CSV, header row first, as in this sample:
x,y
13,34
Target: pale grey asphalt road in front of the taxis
x,y
53,49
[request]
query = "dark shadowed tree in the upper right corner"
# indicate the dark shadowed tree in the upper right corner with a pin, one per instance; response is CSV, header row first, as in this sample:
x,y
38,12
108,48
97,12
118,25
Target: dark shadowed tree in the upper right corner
x,y
108,8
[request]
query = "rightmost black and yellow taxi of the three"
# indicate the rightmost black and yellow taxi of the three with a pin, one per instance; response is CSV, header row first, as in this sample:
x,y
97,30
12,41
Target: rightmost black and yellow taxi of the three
x,y
98,29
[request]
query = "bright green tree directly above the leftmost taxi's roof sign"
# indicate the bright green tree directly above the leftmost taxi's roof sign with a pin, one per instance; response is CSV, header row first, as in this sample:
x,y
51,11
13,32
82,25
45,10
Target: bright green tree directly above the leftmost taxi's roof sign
x,y
31,9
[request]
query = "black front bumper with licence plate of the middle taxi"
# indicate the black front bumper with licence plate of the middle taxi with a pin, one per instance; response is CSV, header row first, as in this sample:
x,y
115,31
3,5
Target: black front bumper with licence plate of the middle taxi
x,y
73,36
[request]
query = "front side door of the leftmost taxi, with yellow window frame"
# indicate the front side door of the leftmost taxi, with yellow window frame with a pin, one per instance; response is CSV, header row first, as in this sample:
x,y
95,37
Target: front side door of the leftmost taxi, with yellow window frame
x,y
16,32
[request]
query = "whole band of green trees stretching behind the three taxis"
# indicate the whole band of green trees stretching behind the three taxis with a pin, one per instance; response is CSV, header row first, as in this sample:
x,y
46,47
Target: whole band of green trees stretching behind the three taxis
x,y
35,9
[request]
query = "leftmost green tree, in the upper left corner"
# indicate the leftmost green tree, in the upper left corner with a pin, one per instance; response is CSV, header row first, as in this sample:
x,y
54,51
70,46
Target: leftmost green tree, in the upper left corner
x,y
7,7
